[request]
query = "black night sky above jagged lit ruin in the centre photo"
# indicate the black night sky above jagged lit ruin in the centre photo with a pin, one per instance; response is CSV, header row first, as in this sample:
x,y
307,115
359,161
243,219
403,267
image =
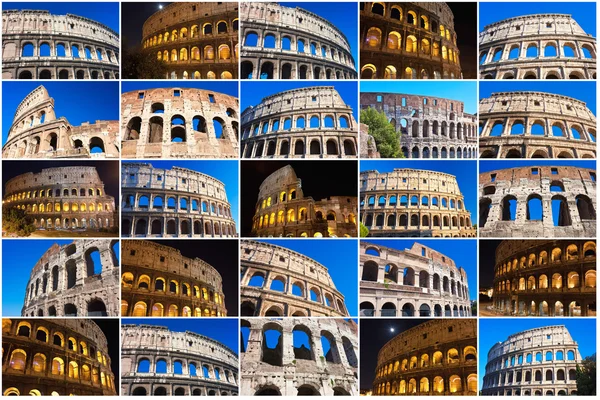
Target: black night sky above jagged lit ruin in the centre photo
x,y
320,179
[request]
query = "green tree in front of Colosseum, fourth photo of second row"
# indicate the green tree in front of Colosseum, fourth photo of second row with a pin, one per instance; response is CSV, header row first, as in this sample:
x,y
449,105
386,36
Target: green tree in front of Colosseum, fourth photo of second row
x,y
386,137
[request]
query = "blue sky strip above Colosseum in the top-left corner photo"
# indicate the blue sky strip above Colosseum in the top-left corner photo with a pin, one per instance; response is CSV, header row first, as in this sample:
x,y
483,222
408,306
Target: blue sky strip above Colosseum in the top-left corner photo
x,y
106,13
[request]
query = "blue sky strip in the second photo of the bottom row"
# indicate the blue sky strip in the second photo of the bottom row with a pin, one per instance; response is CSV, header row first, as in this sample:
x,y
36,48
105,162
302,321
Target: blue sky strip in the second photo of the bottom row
x,y
223,330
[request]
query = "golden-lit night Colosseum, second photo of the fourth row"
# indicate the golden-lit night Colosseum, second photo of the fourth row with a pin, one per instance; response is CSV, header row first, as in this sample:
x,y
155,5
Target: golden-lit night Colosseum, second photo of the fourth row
x,y
158,281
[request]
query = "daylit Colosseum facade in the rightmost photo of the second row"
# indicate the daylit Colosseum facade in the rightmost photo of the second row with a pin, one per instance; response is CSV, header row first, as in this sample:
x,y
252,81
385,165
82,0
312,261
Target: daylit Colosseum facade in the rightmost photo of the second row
x,y
535,125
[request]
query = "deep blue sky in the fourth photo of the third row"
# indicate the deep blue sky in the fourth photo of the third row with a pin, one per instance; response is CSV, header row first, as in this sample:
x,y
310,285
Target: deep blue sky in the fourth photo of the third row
x,y
465,172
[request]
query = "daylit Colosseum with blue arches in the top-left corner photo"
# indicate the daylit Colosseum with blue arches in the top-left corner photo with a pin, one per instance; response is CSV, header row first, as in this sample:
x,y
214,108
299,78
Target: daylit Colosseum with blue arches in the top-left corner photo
x,y
39,45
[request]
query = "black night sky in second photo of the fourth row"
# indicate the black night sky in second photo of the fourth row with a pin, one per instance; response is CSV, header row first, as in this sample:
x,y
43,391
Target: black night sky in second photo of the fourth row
x,y
220,254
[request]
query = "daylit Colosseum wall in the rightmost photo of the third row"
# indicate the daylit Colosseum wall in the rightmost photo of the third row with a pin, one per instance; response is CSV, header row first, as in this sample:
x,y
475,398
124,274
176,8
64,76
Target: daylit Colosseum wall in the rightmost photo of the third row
x,y
523,201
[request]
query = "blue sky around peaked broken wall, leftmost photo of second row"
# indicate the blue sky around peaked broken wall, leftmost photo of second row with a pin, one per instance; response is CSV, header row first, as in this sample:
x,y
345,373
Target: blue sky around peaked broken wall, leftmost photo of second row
x,y
77,101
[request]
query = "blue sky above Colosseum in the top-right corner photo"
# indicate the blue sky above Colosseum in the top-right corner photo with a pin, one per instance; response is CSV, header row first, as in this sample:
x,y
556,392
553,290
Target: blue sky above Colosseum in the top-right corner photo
x,y
582,12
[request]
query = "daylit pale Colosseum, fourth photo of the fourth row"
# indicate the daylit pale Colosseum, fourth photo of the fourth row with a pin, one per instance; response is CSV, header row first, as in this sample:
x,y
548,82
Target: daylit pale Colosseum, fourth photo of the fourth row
x,y
415,282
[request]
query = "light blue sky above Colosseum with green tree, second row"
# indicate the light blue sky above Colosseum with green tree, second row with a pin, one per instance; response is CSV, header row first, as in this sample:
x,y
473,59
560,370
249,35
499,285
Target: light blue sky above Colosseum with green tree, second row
x,y
456,90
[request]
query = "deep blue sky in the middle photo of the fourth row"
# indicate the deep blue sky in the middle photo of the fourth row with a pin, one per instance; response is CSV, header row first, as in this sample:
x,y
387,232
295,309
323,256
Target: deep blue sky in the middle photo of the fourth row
x,y
339,257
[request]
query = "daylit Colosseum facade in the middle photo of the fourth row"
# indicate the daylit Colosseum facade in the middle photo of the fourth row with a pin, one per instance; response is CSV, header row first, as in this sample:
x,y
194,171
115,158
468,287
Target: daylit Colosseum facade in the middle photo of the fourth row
x,y
283,271
